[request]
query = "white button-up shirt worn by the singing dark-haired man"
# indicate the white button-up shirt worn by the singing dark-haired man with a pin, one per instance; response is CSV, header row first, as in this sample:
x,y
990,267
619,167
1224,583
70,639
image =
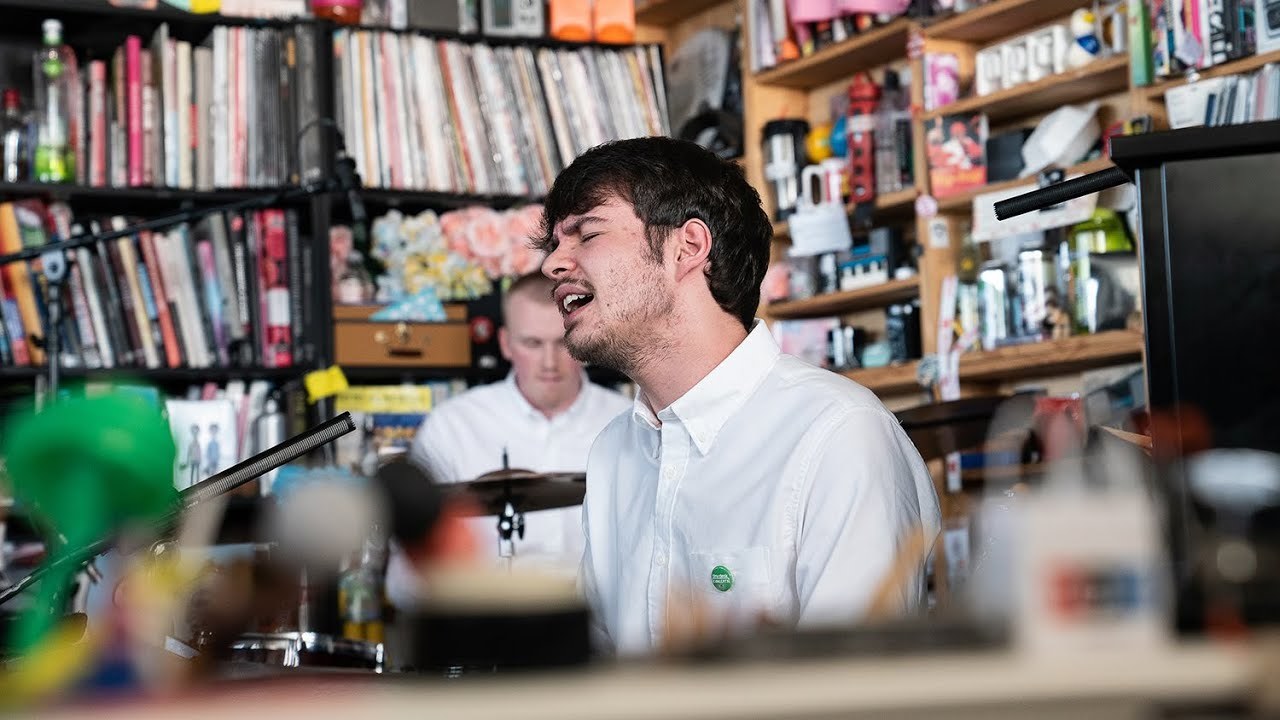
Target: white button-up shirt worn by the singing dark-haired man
x,y
772,489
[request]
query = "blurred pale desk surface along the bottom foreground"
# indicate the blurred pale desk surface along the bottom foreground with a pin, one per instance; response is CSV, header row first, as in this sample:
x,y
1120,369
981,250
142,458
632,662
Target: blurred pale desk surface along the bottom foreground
x,y
988,685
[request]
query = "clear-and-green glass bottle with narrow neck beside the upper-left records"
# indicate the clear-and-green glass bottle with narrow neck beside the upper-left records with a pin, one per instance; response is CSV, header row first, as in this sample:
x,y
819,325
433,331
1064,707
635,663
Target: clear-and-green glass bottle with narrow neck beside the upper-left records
x,y
56,160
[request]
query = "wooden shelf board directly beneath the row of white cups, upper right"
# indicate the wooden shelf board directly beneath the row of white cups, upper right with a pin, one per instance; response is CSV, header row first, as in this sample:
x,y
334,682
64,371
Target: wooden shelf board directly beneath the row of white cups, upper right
x,y
1103,78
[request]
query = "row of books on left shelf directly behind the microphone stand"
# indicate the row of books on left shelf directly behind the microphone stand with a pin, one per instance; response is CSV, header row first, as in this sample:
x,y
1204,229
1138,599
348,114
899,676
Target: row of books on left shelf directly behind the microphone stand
x,y
222,293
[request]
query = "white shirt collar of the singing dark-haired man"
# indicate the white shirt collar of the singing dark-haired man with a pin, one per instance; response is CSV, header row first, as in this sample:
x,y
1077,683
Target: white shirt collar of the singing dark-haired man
x,y
710,404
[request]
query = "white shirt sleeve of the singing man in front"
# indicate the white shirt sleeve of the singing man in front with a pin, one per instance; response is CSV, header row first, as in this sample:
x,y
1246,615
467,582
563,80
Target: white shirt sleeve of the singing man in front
x,y
867,493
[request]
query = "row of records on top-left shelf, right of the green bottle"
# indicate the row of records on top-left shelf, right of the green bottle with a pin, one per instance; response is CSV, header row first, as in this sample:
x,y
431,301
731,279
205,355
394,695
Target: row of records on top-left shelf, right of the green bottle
x,y
226,113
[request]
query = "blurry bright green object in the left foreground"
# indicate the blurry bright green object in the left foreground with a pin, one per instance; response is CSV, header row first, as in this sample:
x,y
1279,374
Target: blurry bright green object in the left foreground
x,y
88,467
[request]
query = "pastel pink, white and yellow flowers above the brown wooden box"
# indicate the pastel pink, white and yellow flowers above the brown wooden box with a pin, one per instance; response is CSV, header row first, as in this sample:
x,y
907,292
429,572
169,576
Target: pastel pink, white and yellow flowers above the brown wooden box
x,y
459,254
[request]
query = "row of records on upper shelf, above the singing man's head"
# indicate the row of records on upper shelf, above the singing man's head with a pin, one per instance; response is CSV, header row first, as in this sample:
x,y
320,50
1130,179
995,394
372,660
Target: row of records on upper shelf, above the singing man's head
x,y
435,115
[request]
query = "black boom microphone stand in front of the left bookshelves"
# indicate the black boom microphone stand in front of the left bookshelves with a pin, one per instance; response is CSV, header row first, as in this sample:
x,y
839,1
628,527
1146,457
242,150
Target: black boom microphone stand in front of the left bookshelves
x,y
345,179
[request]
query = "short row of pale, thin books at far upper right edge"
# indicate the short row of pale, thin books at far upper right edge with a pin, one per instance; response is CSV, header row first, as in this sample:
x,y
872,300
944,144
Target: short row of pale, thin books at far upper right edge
x,y
1247,98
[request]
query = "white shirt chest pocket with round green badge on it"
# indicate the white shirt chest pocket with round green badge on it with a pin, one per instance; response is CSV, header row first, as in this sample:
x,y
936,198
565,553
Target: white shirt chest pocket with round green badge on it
x,y
734,587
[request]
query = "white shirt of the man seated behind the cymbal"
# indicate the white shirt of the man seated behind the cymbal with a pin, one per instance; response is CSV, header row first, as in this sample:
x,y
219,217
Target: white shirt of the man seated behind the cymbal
x,y
464,439
